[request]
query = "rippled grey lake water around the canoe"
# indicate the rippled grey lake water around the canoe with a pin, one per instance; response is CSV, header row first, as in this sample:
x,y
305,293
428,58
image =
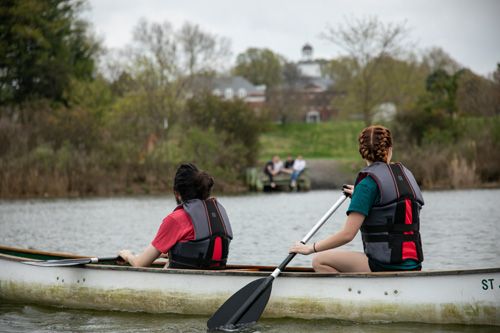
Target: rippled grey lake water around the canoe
x,y
459,231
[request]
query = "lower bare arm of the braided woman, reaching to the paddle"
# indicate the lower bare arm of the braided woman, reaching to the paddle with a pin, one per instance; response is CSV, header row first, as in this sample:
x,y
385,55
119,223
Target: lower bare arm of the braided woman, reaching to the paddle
x,y
343,236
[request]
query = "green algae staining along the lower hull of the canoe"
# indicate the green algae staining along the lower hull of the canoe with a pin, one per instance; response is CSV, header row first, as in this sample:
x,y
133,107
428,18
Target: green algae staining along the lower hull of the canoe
x,y
157,301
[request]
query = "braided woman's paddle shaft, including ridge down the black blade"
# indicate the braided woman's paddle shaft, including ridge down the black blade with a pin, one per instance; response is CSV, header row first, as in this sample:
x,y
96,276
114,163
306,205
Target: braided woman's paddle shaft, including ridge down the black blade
x,y
249,301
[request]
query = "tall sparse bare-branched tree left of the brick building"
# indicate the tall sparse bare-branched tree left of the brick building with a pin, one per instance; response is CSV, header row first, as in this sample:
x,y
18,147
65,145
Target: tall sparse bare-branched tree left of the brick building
x,y
164,63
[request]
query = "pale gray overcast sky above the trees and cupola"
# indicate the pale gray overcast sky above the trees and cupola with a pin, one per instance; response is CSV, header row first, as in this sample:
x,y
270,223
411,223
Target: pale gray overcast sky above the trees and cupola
x,y
469,30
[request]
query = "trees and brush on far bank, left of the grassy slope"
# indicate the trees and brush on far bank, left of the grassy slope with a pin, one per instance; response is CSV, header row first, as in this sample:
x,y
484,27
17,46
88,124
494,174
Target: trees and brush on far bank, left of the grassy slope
x,y
77,120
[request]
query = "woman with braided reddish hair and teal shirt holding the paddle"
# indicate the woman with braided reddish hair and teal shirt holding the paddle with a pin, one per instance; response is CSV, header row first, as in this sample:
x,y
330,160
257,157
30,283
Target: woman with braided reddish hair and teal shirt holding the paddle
x,y
385,205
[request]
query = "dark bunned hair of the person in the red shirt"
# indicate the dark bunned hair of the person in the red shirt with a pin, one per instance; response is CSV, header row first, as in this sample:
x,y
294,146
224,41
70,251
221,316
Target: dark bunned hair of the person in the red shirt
x,y
192,183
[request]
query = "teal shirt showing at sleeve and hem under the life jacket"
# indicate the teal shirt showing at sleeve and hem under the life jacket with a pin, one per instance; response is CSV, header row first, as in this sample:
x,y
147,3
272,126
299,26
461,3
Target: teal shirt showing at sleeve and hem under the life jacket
x,y
364,197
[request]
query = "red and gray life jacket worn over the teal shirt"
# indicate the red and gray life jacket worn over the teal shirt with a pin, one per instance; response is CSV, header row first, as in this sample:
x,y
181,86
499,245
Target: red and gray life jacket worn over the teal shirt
x,y
391,230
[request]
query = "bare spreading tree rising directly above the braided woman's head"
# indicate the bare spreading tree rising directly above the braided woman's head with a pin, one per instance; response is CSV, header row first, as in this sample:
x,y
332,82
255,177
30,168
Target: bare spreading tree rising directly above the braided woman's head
x,y
367,41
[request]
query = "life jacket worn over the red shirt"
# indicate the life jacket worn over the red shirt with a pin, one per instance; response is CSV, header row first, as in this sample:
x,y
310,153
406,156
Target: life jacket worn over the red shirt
x,y
209,249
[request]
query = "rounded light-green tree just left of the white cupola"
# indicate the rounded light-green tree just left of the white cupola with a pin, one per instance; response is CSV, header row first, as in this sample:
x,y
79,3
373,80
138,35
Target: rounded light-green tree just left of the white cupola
x,y
260,66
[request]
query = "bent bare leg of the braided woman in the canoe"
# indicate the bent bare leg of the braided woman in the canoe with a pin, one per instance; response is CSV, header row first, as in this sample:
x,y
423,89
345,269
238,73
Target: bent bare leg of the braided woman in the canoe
x,y
340,261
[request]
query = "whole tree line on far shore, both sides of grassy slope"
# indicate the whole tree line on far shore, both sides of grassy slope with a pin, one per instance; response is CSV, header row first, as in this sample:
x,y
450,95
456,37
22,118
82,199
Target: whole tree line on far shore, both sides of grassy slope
x,y
77,119
